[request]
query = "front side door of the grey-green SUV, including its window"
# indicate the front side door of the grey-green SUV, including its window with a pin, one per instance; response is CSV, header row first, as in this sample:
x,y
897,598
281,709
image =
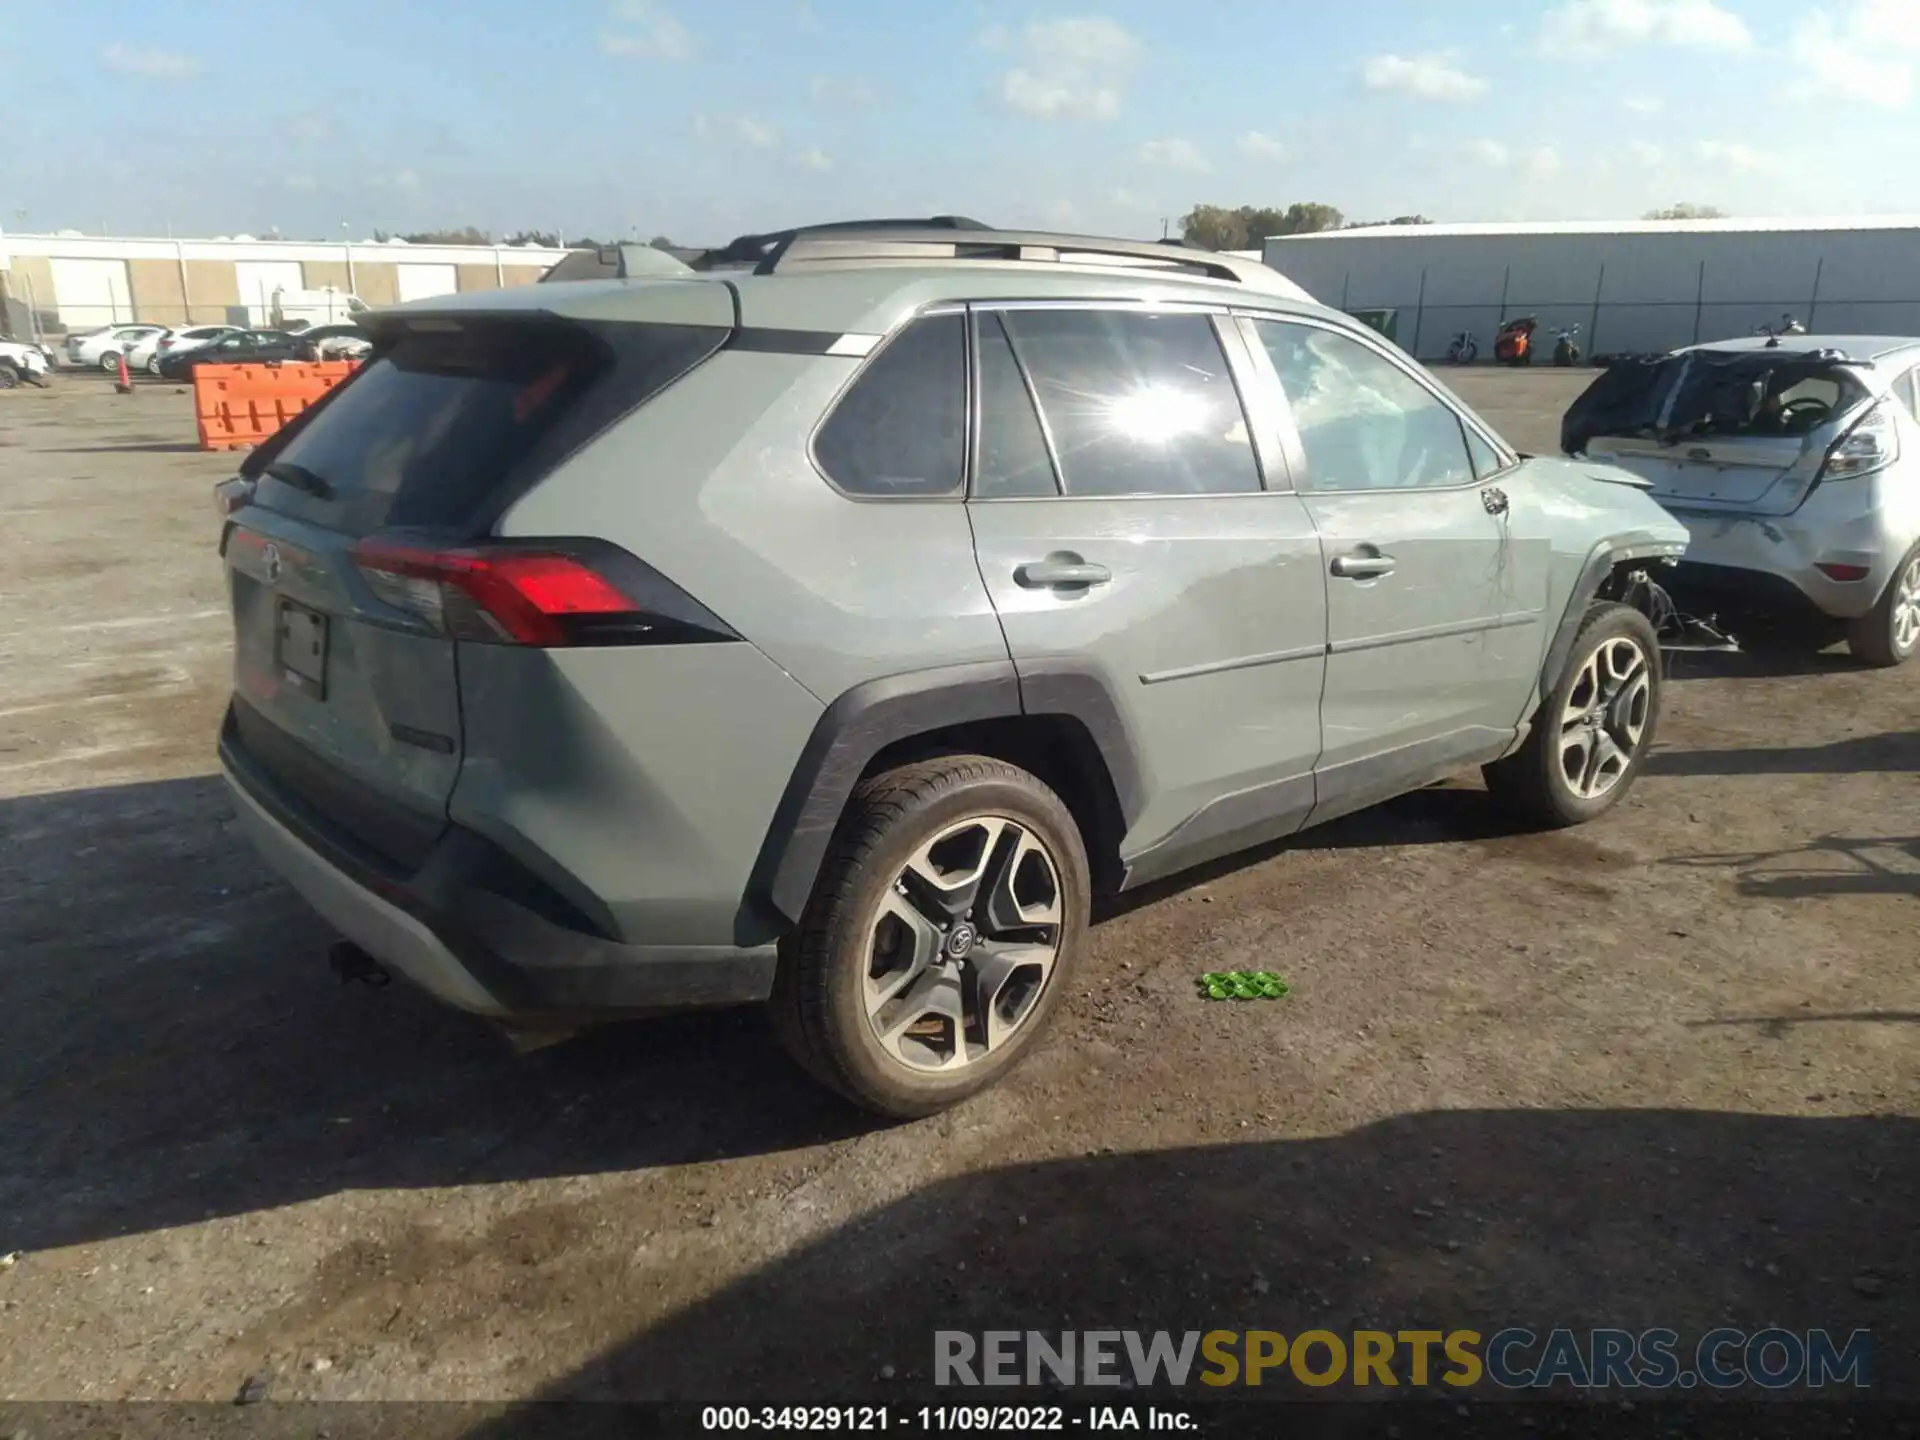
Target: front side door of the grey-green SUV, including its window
x,y
1429,648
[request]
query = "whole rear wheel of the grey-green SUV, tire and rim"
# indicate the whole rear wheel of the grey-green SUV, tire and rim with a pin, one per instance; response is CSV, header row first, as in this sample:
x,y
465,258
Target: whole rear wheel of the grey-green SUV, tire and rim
x,y
940,938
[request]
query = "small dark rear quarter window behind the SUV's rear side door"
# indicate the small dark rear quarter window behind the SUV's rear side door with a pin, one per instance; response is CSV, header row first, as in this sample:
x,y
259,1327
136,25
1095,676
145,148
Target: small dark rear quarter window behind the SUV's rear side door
x,y
901,427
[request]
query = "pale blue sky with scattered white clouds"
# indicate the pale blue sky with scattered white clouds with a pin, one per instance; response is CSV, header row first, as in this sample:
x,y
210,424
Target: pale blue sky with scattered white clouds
x,y
708,120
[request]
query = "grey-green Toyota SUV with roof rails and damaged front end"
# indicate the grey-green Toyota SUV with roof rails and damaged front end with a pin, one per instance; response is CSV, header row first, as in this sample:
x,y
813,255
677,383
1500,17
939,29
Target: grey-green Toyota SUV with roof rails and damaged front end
x,y
827,627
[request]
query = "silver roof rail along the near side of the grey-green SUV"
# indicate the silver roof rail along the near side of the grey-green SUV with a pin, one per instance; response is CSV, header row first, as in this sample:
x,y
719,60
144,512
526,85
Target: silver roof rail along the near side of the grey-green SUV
x,y
905,245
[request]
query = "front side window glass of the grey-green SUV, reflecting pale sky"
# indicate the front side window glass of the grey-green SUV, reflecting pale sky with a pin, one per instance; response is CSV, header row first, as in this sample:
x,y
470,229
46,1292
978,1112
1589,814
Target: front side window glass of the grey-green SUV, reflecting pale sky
x,y
1364,423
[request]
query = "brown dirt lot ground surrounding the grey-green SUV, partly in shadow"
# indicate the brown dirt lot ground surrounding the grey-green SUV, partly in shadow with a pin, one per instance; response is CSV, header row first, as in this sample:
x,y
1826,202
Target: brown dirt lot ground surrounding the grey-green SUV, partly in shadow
x,y
1656,1072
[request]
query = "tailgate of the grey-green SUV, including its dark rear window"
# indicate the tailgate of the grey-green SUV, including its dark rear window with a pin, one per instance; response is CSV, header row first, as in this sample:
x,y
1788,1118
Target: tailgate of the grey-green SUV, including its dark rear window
x,y
348,700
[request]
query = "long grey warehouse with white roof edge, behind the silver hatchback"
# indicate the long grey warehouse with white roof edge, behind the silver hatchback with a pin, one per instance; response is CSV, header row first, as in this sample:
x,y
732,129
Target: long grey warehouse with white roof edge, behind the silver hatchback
x,y
1631,287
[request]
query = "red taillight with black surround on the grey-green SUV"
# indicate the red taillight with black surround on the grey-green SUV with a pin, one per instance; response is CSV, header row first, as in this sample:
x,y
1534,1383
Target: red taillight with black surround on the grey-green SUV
x,y
581,594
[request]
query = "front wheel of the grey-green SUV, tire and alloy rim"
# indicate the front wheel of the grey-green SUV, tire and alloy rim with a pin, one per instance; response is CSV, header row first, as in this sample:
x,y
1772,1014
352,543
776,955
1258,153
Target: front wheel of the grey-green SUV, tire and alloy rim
x,y
1593,734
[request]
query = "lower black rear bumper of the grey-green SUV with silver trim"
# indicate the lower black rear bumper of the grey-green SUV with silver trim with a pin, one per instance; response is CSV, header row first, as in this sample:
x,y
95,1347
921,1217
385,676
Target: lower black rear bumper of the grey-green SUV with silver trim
x,y
471,948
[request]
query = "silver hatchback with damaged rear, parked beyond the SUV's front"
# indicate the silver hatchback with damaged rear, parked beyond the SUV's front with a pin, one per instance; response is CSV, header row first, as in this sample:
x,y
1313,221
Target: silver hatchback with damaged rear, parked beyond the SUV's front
x,y
1794,462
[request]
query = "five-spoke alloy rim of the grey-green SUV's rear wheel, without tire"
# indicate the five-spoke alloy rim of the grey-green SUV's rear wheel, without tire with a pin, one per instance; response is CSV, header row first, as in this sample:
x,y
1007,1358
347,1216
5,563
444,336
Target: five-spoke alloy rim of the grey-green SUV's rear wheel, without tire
x,y
965,944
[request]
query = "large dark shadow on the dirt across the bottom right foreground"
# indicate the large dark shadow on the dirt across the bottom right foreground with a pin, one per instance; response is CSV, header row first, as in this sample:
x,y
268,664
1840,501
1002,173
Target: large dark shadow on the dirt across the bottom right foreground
x,y
1445,1220
